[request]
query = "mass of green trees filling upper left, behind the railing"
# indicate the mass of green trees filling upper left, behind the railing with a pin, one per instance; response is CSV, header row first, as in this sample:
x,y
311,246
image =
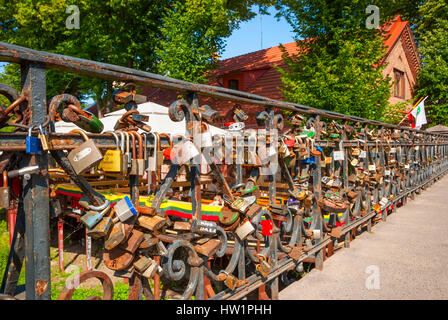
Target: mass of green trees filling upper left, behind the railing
x,y
178,38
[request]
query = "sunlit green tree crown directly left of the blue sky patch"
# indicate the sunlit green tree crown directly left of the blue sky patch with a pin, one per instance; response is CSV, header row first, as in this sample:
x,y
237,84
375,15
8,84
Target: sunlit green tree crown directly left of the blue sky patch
x,y
194,33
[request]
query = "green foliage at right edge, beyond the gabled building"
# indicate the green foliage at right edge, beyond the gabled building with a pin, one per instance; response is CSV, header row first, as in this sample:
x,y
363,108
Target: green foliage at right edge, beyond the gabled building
x,y
433,78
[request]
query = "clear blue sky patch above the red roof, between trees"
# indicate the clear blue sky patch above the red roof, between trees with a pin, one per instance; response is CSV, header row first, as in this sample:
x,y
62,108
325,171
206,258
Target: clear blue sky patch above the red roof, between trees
x,y
248,37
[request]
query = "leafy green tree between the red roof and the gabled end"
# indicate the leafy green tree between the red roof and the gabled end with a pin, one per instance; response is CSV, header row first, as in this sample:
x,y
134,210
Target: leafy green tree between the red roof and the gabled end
x,y
339,70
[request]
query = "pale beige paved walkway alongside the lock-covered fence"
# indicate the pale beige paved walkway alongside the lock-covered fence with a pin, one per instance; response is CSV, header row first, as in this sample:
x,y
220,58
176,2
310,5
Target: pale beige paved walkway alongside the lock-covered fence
x,y
409,252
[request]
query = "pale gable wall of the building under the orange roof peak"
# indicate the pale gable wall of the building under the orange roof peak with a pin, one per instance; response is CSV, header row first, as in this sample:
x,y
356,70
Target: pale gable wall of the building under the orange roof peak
x,y
397,60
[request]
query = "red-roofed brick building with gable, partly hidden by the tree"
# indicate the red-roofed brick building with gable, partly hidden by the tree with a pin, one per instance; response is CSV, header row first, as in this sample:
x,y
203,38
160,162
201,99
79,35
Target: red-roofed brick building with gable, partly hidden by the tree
x,y
255,72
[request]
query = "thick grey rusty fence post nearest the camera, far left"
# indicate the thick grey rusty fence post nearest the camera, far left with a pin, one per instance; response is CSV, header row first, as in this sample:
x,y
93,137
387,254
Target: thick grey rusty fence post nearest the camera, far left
x,y
36,194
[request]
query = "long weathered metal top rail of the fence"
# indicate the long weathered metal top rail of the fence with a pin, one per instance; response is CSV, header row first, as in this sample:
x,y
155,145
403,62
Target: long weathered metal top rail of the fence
x,y
18,54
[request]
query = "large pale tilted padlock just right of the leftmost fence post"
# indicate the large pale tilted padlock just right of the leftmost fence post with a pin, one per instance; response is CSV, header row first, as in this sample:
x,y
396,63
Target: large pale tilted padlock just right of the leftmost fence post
x,y
86,156
